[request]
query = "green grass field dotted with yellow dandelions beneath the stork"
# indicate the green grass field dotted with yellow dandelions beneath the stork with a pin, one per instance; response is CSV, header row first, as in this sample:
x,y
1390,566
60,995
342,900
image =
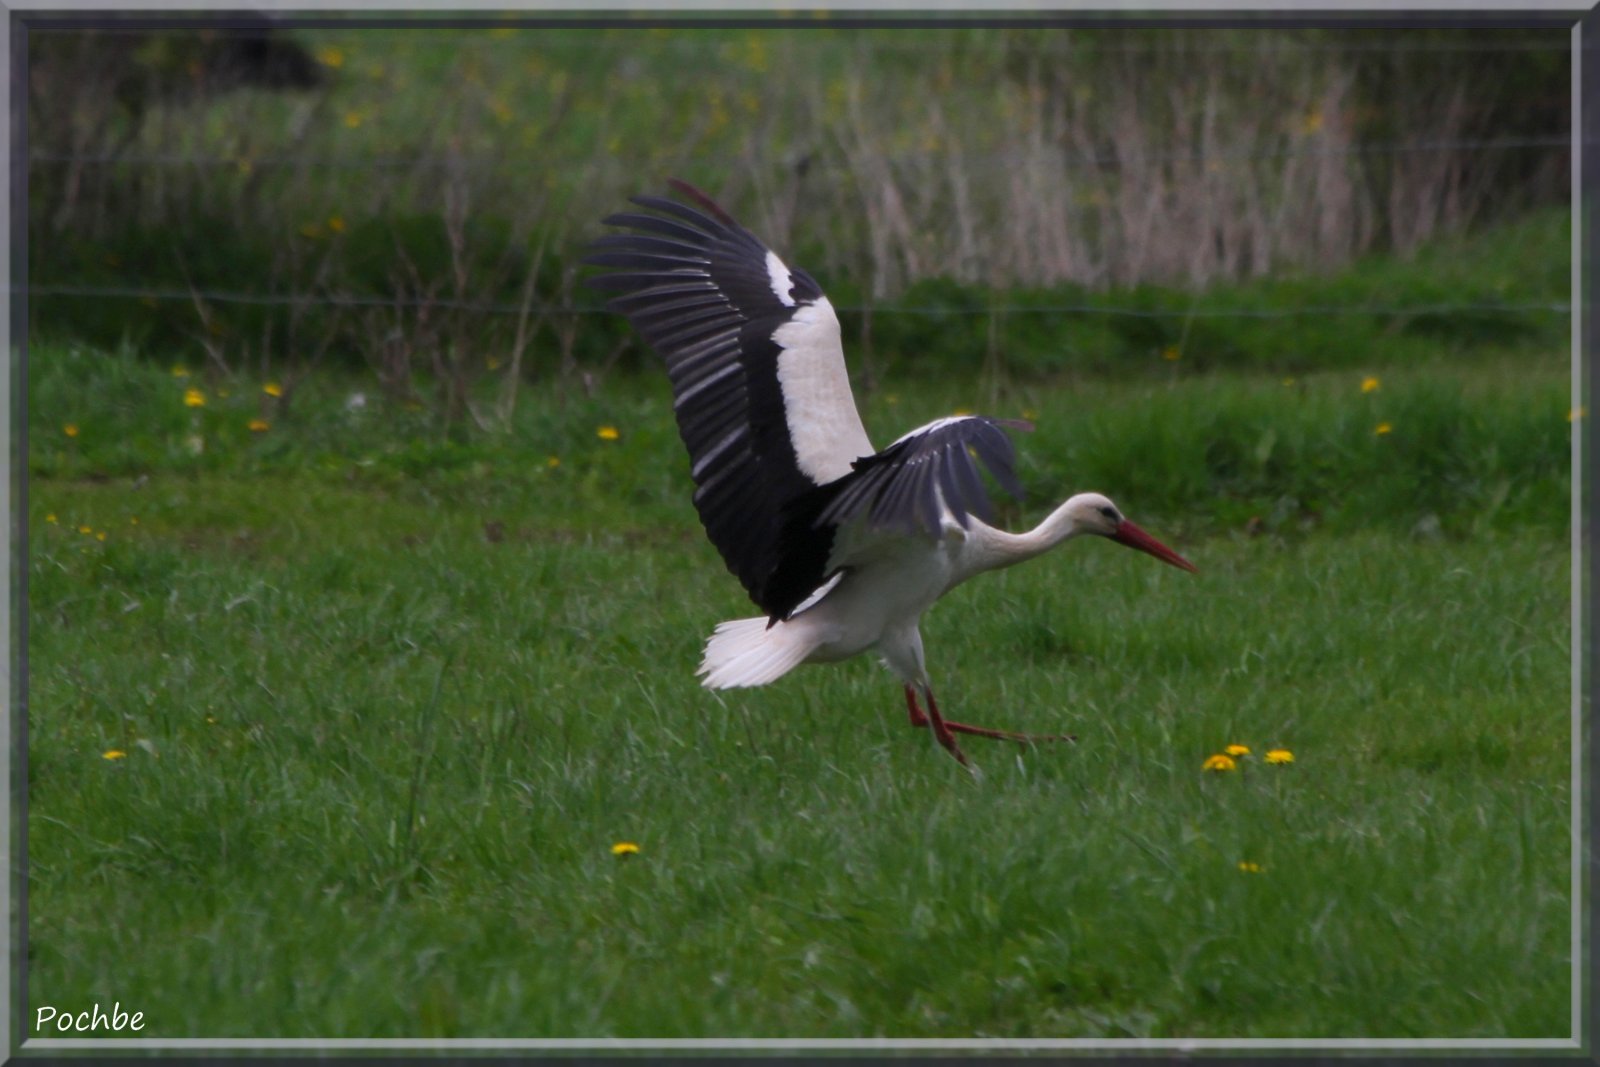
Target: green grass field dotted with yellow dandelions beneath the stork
x,y
386,701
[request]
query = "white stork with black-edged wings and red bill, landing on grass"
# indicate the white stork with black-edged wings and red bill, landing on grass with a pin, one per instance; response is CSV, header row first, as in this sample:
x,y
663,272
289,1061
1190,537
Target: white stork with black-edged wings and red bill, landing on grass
x,y
839,545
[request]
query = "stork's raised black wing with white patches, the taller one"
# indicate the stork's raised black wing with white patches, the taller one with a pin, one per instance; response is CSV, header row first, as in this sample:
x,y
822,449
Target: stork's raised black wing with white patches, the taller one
x,y
726,314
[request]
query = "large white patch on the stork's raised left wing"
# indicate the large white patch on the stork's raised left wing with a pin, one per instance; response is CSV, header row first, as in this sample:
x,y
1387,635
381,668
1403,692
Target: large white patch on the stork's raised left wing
x,y
822,414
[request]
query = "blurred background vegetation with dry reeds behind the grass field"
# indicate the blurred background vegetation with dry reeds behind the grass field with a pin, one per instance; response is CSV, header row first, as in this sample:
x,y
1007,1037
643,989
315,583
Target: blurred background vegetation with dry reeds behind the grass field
x,y
412,204
